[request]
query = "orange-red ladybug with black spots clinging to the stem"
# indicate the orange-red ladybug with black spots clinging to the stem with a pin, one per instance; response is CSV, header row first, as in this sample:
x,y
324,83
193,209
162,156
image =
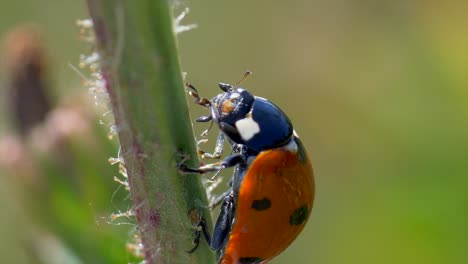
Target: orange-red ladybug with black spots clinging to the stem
x,y
272,188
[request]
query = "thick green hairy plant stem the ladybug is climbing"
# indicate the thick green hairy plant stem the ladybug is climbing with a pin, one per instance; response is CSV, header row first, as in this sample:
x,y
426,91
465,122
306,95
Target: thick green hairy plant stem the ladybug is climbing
x,y
141,69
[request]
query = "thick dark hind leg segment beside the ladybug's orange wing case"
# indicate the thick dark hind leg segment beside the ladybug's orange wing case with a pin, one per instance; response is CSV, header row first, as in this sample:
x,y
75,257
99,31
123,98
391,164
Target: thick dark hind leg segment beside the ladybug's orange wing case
x,y
223,223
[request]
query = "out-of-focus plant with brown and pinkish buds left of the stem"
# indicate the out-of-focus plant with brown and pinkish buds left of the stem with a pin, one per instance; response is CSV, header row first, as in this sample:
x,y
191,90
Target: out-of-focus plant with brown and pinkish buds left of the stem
x,y
54,166
